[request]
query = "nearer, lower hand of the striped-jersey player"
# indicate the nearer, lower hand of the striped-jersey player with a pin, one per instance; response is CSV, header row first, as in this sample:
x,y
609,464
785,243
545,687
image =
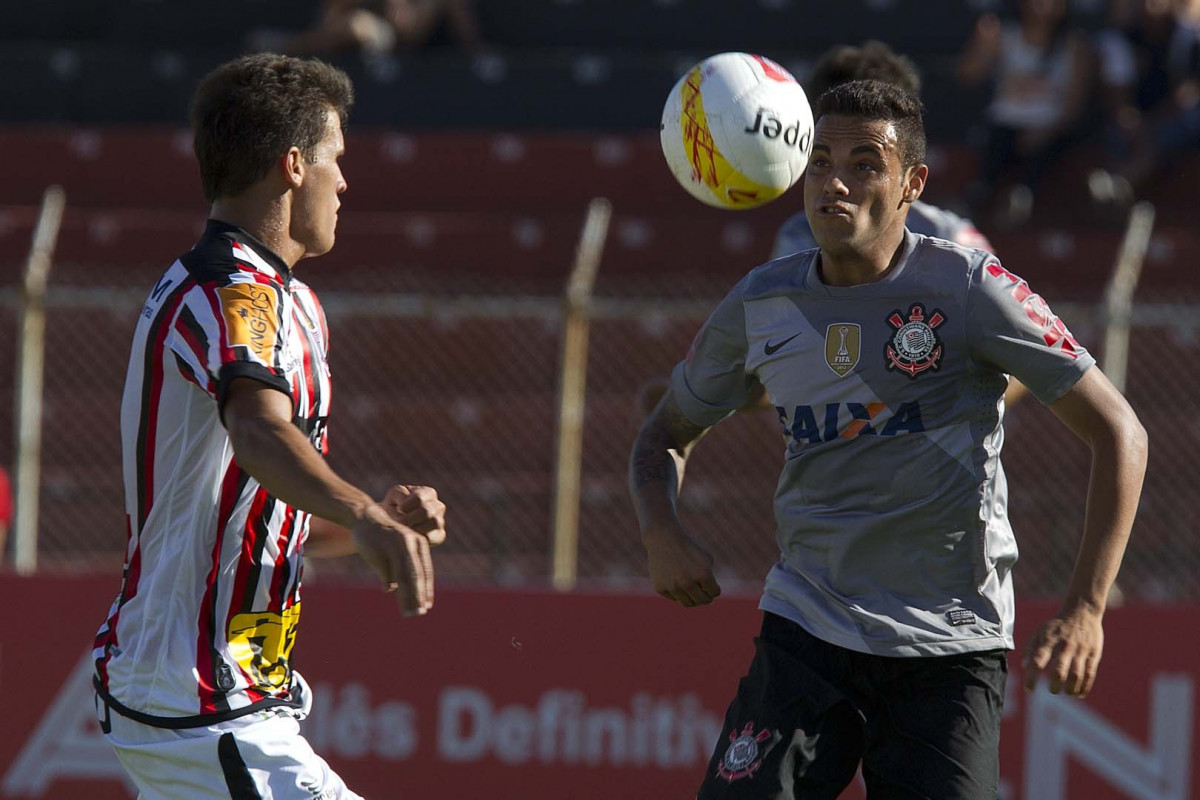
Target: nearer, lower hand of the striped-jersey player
x,y
400,556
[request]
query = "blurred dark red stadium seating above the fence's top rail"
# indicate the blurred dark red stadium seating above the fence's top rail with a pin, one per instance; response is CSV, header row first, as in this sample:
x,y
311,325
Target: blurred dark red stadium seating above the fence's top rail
x,y
424,208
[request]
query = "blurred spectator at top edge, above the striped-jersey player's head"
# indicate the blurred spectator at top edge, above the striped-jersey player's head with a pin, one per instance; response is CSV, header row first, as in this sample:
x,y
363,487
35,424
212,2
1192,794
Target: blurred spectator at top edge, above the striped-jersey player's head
x,y
379,27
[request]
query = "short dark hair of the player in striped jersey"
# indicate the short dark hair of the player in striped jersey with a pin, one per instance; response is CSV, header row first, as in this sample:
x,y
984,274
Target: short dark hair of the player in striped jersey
x,y
248,113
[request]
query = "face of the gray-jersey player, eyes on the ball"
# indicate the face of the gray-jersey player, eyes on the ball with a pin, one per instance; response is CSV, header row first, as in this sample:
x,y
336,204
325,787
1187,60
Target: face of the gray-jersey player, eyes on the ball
x,y
855,184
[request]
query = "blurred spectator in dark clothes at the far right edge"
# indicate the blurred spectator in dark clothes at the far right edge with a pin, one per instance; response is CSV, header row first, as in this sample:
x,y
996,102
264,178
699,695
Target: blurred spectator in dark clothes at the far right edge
x,y
1150,71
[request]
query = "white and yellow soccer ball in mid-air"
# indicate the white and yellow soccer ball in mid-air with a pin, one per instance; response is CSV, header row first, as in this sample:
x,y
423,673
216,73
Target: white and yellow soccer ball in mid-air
x,y
737,131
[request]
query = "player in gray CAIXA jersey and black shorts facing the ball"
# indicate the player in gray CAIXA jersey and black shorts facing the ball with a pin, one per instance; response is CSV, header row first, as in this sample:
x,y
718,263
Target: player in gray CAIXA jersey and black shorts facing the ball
x,y
887,619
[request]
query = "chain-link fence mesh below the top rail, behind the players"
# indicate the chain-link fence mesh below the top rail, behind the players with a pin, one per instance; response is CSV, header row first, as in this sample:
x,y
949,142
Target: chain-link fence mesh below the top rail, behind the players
x,y
461,394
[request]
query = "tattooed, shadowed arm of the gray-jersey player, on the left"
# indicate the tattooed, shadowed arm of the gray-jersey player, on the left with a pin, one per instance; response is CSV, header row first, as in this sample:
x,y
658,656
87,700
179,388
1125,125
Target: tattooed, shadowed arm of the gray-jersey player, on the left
x,y
681,570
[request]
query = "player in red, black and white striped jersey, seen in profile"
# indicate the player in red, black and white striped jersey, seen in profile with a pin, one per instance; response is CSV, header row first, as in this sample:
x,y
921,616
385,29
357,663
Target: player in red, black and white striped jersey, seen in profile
x,y
224,426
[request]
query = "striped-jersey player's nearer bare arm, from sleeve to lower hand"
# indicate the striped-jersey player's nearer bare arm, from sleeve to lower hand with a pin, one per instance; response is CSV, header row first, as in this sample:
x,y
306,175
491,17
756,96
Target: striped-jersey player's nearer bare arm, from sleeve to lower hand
x,y
283,460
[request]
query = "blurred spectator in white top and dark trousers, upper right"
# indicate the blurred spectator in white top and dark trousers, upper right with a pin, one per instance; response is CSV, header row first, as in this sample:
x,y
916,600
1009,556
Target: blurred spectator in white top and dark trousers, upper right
x,y
1041,67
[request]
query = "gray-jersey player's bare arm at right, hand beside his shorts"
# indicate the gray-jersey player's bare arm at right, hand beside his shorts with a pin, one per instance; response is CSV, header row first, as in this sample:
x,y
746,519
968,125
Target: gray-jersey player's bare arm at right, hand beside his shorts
x,y
1069,647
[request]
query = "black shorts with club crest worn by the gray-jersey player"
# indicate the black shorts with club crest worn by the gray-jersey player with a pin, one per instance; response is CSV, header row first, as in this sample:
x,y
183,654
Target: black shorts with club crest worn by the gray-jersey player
x,y
811,713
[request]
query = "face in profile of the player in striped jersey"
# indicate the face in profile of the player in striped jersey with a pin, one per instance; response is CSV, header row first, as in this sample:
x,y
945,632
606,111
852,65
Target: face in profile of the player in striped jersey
x,y
316,201
